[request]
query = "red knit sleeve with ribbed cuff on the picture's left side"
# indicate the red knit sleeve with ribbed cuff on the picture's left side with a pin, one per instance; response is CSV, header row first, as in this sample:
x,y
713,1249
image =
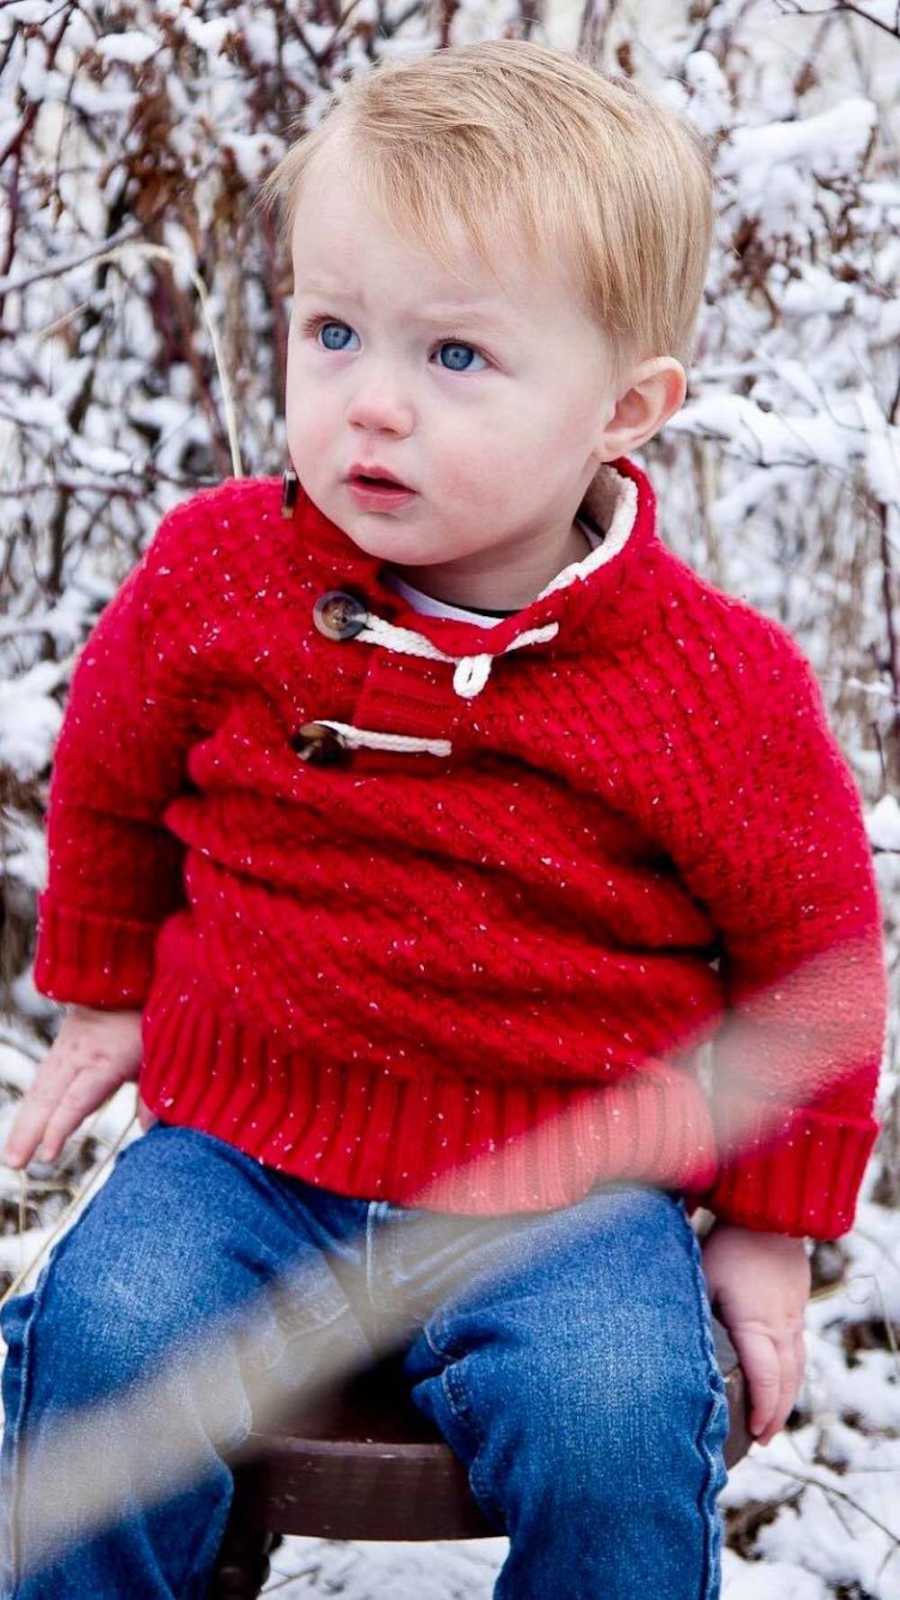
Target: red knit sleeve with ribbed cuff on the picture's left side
x,y
115,871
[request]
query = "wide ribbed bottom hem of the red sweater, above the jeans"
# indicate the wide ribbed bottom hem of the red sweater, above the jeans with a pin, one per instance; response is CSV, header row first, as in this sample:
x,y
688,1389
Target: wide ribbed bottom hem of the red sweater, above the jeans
x,y
444,1143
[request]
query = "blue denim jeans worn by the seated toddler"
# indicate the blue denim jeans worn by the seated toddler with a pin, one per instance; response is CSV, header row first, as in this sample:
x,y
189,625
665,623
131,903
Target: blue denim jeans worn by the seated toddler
x,y
566,1358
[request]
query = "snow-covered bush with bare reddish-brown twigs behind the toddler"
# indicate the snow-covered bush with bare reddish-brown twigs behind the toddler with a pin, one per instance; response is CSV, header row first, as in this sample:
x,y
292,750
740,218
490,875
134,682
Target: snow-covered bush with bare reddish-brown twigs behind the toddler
x,y
143,310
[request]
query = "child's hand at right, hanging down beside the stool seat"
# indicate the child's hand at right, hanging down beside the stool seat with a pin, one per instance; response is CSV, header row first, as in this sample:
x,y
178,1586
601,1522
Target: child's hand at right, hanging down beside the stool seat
x,y
760,1286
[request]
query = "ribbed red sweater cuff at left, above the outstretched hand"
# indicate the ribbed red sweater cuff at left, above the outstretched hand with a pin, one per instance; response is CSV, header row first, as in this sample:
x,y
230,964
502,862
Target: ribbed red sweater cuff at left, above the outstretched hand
x,y
89,959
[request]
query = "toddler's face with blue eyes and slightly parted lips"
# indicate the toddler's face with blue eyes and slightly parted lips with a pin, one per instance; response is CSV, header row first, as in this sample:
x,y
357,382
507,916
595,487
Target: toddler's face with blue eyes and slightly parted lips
x,y
492,417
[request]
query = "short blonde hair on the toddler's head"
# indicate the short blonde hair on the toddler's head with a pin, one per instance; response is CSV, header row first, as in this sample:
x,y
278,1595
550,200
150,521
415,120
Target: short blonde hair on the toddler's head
x,y
507,135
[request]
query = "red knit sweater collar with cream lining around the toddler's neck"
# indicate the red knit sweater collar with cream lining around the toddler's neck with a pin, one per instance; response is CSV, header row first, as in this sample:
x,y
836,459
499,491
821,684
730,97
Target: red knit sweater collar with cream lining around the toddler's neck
x,y
606,590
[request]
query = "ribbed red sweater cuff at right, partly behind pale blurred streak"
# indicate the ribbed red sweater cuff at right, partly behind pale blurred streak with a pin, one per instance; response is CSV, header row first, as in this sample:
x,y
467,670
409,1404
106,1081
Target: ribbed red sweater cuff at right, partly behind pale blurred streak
x,y
797,1175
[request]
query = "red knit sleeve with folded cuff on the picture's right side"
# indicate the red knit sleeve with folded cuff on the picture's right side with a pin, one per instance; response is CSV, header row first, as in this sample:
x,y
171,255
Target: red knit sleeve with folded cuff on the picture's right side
x,y
785,868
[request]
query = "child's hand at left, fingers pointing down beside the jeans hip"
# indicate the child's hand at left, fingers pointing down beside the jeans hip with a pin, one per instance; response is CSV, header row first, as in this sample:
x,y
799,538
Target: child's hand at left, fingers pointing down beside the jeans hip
x,y
92,1055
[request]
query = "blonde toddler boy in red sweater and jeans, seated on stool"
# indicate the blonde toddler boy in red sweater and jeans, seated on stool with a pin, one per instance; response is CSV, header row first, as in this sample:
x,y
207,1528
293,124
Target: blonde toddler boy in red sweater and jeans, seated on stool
x,y
409,836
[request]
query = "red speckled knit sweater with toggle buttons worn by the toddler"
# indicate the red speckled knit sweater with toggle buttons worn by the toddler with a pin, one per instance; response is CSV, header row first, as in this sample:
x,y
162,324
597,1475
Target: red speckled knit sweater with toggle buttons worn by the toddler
x,y
497,894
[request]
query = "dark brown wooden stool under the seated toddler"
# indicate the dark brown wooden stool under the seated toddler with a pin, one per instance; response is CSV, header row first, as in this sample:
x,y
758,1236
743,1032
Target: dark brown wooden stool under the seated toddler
x,y
363,1463
